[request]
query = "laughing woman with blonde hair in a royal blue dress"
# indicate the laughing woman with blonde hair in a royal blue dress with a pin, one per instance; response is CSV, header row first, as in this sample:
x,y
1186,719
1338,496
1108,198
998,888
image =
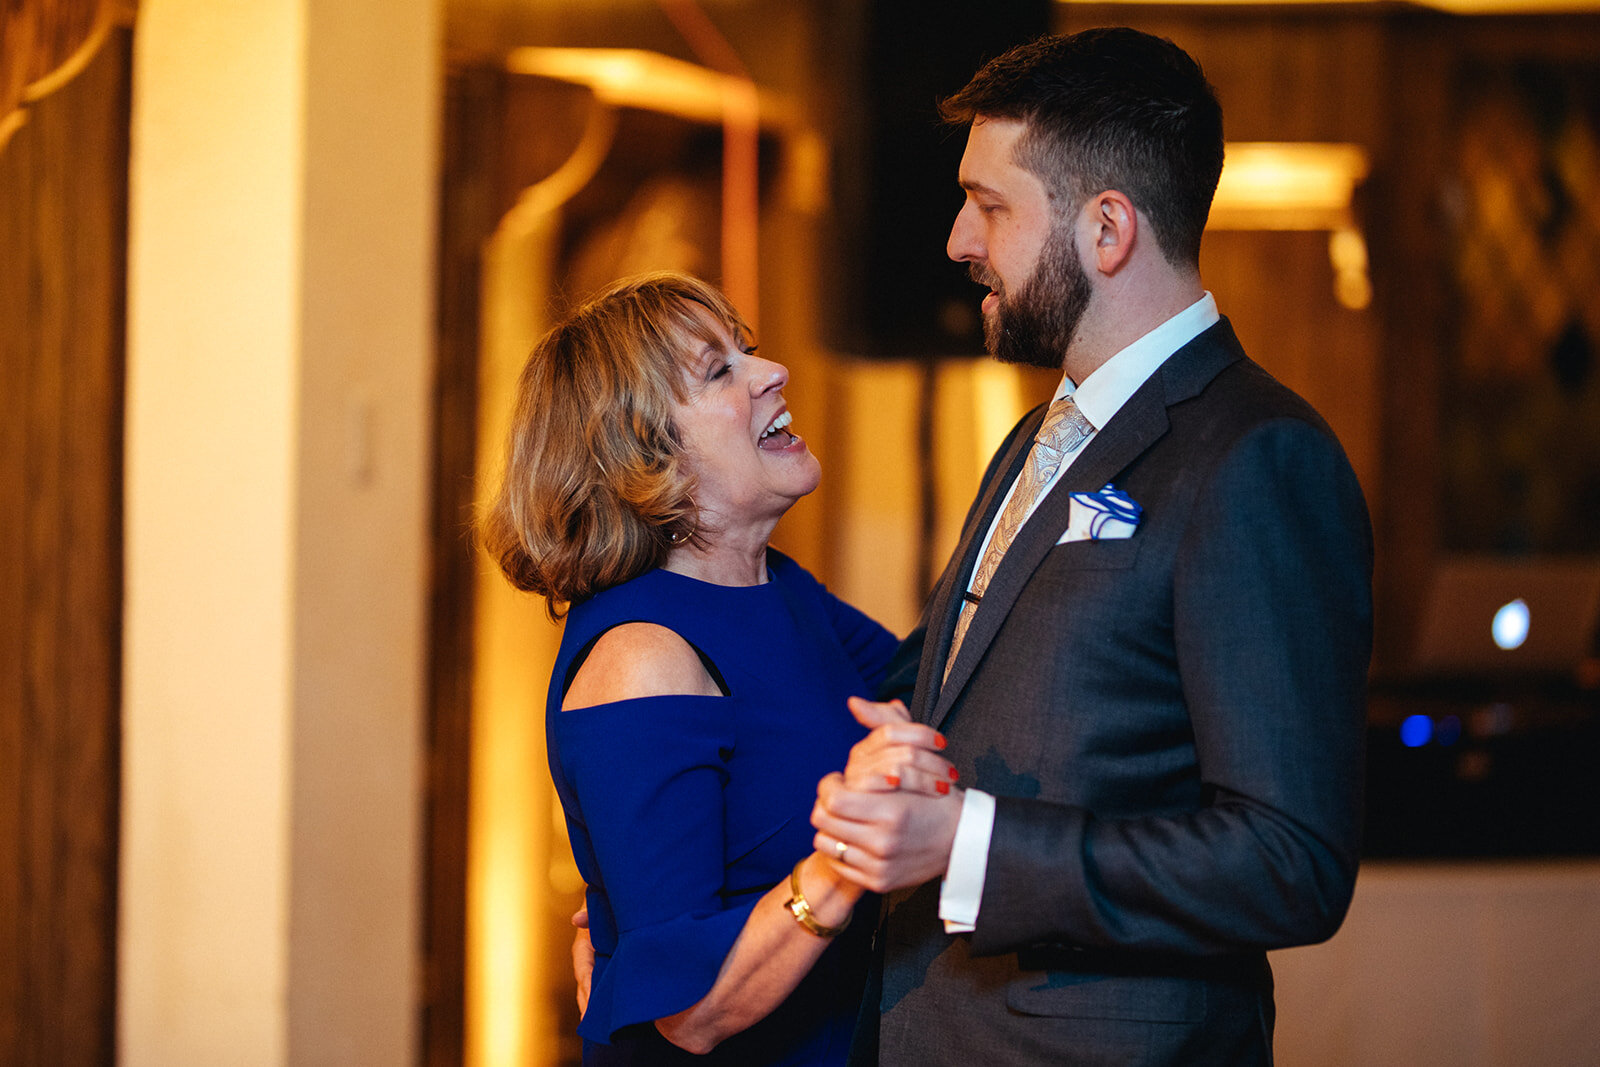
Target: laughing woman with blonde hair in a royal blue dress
x,y
702,685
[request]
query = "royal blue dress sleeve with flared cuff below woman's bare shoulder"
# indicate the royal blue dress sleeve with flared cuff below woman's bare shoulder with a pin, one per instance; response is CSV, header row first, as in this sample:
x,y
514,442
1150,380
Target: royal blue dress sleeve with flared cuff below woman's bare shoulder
x,y
649,780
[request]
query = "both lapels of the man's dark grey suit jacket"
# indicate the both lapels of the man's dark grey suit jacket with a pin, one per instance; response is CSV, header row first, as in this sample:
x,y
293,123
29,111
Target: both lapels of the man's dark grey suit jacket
x,y
1130,433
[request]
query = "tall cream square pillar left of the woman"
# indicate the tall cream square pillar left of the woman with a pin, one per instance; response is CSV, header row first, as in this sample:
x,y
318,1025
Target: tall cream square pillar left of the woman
x,y
279,378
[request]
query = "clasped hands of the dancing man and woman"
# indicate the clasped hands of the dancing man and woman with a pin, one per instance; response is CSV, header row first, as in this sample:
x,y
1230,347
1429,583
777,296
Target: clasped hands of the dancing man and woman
x,y
889,820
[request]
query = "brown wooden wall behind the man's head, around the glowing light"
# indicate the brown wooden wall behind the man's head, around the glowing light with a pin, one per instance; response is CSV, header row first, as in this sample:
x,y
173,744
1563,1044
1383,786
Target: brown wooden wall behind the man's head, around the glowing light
x,y
1383,78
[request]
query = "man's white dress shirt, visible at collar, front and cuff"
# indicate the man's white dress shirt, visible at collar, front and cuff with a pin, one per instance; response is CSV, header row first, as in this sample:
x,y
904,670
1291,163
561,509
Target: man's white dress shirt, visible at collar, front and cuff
x,y
1100,398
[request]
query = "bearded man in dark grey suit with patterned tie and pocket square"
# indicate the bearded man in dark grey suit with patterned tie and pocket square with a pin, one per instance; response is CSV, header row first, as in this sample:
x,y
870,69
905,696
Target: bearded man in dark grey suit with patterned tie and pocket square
x,y
1148,657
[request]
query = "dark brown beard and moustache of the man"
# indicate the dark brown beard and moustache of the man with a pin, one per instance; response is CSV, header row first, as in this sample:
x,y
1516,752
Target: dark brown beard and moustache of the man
x,y
1036,326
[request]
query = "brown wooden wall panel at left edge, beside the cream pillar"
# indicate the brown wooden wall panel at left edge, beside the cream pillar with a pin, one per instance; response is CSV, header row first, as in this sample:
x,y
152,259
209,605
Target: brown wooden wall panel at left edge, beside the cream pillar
x,y
63,236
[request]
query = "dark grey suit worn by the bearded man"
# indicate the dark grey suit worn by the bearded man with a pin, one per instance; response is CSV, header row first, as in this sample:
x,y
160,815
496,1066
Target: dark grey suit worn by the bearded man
x,y
1172,725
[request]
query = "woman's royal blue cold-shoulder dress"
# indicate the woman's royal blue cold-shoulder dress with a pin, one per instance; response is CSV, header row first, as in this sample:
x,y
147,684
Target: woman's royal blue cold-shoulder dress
x,y
686,810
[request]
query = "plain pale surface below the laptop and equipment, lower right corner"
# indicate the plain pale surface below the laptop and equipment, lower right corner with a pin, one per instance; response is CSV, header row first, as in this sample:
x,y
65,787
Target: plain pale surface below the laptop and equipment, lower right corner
x,y
1486,964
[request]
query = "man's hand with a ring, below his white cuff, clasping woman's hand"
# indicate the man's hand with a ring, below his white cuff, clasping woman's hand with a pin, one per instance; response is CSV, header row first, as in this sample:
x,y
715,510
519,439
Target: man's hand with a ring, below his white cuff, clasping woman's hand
x,y
892,839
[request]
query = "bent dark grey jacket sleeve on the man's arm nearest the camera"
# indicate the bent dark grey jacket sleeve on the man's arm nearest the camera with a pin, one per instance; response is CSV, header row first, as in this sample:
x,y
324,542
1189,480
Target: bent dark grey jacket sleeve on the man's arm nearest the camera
x,y
1271,623
